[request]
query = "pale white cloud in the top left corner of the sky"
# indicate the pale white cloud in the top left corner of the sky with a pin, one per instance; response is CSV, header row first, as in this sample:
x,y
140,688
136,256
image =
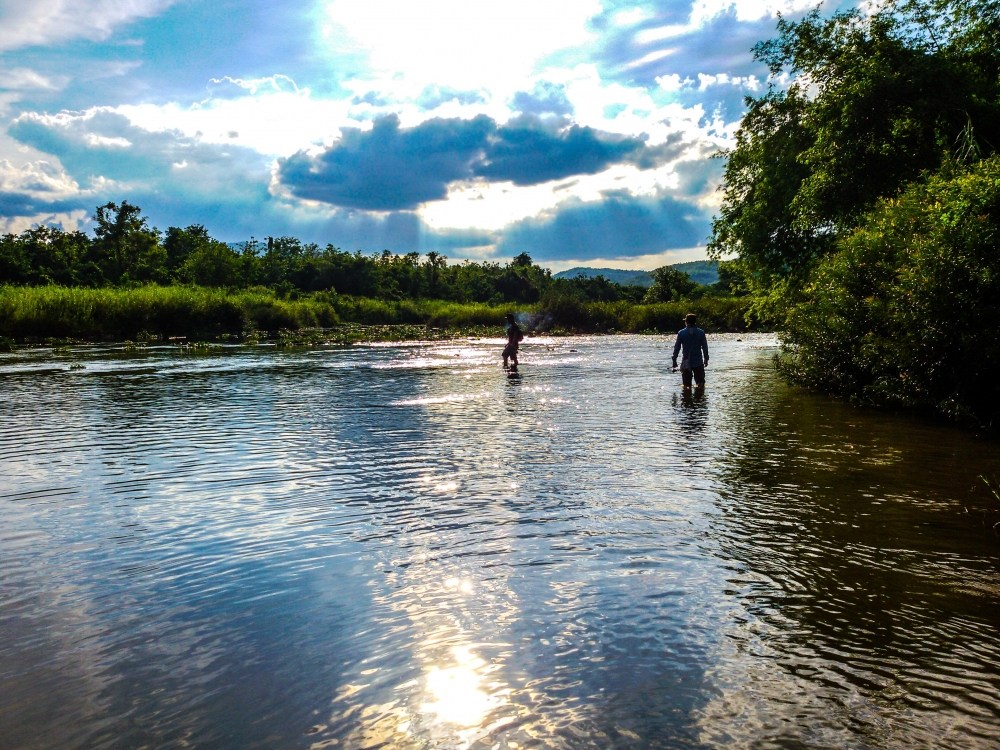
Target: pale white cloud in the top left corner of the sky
x,y
39,22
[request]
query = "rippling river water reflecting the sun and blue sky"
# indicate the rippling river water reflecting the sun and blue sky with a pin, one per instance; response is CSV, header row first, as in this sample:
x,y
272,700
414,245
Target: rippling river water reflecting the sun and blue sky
x,y
398,546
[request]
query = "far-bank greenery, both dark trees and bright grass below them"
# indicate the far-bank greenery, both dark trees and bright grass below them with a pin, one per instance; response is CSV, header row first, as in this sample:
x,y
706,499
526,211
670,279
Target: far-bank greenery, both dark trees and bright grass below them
x,y
215,290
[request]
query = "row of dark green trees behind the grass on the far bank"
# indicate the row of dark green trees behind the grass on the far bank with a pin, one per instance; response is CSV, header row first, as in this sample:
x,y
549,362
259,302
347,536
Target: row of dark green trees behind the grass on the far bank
x,y
124,250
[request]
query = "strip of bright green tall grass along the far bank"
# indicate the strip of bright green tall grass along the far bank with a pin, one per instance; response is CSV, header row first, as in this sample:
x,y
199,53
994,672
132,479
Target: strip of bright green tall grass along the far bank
x,y
199,313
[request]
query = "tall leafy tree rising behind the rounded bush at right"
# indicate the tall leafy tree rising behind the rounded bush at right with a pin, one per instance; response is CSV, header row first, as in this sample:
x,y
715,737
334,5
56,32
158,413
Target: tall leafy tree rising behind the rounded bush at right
x,y
875,102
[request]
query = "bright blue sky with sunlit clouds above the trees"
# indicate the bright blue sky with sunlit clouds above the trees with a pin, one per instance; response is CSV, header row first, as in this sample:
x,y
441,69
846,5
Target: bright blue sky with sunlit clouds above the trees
x,y
581,132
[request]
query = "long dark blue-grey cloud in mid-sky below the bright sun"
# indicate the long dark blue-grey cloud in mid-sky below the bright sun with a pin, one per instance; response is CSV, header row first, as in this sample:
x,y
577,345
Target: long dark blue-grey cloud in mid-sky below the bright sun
x,y
394,168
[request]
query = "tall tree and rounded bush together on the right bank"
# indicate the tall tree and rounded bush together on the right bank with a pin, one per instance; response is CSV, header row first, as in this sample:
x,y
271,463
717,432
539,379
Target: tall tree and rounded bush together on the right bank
x,y
862,201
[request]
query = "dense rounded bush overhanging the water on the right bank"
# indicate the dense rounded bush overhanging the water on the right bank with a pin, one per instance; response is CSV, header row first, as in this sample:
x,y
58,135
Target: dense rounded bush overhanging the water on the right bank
x,y
905,312
